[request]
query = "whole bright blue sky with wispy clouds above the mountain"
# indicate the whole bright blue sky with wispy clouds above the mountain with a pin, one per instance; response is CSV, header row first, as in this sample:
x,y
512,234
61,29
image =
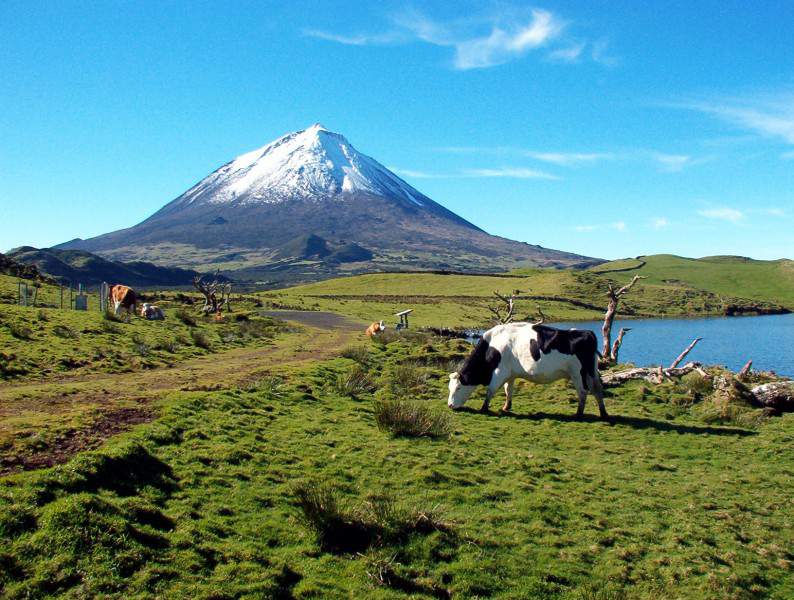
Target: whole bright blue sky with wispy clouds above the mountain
x,y
606,128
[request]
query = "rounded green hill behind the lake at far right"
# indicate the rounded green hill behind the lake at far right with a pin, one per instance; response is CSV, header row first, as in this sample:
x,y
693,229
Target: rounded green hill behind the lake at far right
x,y
730,276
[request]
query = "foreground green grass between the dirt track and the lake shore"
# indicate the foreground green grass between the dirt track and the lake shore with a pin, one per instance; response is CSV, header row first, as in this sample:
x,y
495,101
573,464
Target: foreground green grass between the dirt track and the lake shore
x,y
211,499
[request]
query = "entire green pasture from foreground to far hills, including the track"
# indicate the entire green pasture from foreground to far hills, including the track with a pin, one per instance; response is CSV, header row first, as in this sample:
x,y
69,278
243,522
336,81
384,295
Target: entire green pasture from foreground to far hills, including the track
x,y
137,462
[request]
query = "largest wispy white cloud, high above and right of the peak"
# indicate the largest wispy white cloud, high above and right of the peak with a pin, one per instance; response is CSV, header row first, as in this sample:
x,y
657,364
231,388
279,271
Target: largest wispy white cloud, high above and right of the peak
x,y
479,43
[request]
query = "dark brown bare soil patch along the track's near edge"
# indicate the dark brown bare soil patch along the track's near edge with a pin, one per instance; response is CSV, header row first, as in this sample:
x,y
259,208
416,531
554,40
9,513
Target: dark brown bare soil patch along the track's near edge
x,y
65,445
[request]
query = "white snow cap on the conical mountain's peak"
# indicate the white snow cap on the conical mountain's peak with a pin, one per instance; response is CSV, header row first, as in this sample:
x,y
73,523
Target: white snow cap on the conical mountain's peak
x,y
312,164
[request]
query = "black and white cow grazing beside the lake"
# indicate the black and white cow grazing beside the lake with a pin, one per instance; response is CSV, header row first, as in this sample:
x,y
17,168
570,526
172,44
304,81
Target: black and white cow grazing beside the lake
x,y
537,353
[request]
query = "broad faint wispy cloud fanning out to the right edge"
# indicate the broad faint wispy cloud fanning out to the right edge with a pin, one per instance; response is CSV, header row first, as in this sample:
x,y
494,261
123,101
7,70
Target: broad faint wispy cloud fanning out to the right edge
x,y
768,115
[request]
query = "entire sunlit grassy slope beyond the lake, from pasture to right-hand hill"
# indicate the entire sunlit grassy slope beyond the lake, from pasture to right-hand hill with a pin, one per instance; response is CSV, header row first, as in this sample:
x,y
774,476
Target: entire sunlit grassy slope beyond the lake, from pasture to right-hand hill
x,y
674,287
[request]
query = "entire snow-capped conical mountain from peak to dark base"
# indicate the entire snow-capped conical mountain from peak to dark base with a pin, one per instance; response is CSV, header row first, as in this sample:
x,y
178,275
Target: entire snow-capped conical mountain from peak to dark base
x,y
246,215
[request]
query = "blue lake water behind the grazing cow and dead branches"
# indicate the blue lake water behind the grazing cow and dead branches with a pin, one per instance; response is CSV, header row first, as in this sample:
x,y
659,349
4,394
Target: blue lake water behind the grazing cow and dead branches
x,y
728,341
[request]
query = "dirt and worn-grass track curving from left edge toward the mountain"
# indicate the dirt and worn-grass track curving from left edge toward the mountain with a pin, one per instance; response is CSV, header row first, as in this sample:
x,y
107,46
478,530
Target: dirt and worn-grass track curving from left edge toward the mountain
x,y
79,412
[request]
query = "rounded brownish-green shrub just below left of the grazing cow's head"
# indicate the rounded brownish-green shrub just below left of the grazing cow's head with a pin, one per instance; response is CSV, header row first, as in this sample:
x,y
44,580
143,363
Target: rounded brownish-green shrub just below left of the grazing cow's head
x,y
412,419
